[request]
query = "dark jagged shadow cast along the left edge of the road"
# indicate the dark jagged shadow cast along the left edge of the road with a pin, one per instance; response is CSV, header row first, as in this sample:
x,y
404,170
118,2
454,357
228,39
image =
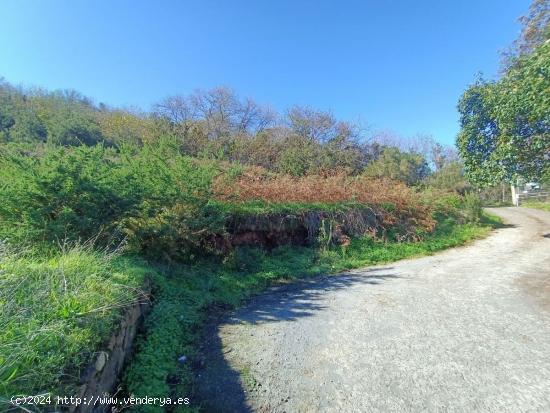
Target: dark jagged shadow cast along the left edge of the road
x,y
219,386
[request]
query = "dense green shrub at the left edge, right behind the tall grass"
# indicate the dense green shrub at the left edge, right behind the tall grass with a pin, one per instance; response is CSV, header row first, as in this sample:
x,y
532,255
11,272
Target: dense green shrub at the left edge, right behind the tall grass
x,y
63,193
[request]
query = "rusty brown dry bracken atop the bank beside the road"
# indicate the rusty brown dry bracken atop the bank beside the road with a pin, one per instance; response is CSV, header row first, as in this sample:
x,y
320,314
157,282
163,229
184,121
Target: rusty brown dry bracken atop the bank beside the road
x,y
369,206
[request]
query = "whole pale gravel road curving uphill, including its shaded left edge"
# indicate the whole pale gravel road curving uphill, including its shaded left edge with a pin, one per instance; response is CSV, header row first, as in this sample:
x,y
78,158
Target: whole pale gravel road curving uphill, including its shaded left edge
x,y
467,330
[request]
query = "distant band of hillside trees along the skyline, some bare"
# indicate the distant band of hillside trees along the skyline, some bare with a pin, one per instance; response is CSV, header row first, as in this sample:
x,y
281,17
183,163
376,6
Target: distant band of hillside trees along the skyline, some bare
x,y
217,124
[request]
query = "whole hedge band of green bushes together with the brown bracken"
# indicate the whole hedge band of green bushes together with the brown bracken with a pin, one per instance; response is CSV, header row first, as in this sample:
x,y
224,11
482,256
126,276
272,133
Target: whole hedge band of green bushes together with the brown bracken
x,y
167,205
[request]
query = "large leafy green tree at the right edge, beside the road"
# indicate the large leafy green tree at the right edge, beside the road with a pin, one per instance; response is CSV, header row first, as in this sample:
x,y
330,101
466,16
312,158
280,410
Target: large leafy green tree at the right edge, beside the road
x,y
505,125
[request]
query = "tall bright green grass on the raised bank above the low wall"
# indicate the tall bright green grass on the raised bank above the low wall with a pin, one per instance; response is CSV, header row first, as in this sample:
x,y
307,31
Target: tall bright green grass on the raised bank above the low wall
x,y
56,311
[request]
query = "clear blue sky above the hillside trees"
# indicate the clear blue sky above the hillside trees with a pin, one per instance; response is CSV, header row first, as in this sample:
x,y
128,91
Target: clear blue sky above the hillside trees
x,y
396,65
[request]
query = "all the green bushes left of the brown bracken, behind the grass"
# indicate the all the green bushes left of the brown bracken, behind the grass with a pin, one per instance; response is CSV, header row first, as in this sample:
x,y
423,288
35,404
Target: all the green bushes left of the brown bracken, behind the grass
x,y
153,197
